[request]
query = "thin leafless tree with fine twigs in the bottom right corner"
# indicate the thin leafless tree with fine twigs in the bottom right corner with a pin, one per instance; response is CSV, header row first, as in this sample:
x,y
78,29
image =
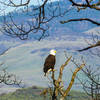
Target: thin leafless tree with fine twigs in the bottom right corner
x,y
92,84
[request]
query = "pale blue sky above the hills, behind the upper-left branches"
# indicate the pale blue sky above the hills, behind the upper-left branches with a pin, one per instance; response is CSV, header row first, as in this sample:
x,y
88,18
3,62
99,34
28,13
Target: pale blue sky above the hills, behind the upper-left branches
x,y
7,9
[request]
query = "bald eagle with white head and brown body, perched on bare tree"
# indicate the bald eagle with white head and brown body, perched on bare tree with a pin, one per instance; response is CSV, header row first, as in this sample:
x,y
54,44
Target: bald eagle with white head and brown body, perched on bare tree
x,y
49,62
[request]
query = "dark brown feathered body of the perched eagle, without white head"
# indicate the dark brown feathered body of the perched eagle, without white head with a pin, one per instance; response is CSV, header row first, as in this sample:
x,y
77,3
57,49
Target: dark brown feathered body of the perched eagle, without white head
x,y
49,63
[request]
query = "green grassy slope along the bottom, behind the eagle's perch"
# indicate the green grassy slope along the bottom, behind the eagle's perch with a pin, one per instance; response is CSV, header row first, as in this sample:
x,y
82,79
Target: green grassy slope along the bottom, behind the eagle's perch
x,y
33,93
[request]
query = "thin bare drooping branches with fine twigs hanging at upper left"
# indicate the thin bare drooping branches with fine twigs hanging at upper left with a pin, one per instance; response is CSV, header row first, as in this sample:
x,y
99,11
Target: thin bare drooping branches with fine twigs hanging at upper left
x,y
40,16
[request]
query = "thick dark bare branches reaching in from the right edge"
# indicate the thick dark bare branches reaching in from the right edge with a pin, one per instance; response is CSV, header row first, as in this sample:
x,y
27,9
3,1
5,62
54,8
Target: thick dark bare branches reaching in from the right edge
x,y
84,5
